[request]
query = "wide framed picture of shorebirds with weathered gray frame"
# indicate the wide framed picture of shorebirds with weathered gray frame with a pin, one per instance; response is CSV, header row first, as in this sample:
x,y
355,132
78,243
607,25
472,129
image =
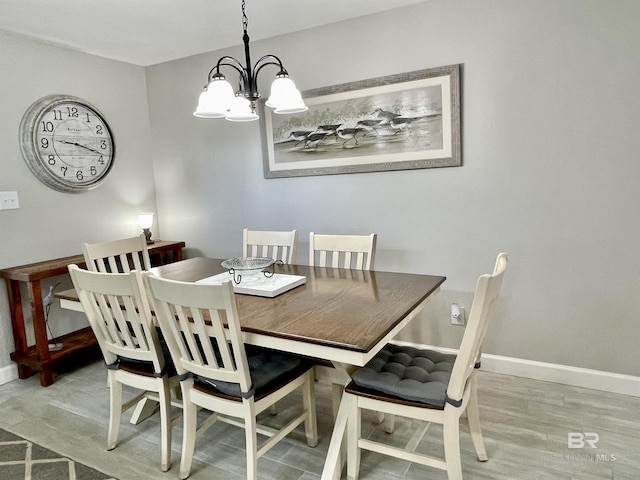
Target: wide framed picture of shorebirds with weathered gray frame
x,y
398,122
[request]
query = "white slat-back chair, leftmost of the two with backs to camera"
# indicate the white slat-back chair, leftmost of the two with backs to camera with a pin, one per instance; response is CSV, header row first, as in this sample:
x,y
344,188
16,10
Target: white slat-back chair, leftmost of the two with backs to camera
x,y
118,311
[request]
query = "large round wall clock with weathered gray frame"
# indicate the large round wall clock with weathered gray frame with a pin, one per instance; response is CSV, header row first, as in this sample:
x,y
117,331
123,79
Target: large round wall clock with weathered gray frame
x,y
67,143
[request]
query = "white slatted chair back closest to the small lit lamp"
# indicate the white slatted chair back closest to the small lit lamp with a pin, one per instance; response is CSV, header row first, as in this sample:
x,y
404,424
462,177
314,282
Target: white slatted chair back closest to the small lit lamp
x,y
123,255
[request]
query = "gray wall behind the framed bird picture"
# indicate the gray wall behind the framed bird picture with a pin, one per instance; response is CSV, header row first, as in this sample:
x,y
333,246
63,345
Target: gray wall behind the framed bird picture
x,y
550,146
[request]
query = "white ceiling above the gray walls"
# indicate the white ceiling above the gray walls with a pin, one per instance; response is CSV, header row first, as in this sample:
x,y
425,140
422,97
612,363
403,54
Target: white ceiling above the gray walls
x,y
147,32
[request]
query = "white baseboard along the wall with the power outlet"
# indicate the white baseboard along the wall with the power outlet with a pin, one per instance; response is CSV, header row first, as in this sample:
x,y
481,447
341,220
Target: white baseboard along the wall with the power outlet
x,y
551,372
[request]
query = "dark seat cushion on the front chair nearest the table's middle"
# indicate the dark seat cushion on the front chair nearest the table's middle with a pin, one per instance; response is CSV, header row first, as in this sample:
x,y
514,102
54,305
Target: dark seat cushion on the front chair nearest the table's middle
x,y
268,370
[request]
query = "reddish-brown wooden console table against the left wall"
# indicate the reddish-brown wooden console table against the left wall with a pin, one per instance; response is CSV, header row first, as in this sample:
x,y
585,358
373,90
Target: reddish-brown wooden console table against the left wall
x,y
38,358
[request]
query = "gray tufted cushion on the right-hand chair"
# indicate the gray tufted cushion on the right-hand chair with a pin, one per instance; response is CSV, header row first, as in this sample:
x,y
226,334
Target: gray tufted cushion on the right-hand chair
x,y
409,373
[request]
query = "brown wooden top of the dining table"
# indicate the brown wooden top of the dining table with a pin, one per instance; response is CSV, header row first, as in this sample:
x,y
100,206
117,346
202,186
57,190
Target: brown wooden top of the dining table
x,y
346,309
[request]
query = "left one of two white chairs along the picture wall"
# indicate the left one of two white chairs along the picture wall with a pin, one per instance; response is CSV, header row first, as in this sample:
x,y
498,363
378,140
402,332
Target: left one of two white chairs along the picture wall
x,y
270,244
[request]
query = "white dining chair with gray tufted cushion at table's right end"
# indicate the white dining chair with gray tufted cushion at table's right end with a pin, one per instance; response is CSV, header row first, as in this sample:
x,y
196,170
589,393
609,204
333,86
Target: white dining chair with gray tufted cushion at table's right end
x,y
425,385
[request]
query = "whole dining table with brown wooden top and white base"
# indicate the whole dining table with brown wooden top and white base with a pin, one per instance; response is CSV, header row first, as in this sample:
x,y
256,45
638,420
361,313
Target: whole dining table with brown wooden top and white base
x,y
340,317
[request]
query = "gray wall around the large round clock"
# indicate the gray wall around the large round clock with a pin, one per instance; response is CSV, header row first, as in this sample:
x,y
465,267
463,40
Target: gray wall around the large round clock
x,y
48,223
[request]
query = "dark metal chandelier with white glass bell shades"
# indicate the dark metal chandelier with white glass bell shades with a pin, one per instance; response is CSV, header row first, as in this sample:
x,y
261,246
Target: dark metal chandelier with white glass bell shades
x,y
218,99
